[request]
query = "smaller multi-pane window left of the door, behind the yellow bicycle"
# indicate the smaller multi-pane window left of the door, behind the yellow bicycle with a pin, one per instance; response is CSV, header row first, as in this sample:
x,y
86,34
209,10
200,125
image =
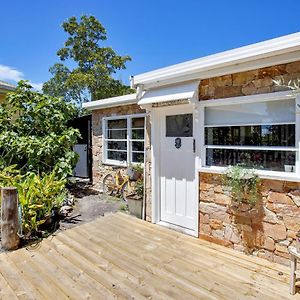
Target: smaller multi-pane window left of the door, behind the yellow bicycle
x,y
123,139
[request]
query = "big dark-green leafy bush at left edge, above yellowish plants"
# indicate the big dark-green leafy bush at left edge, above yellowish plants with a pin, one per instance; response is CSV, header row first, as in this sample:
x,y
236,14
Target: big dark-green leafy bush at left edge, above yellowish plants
x,y
34,132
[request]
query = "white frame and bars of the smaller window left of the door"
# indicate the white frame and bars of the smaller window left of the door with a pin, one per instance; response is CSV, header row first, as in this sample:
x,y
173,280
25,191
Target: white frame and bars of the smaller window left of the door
x,y
128,139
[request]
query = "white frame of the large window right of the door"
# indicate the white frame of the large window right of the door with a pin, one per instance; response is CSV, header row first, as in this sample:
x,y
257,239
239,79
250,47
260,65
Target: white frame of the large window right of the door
x,y
277,96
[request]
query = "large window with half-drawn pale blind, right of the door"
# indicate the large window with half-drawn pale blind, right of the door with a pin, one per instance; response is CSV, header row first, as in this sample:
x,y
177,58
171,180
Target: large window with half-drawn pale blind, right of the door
x,y
259,135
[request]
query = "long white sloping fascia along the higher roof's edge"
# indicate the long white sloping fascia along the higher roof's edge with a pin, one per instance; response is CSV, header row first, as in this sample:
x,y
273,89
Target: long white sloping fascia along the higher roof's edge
x,y
255,52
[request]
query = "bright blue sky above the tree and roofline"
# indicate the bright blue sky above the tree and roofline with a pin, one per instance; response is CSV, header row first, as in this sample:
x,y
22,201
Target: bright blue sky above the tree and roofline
x,y
154,33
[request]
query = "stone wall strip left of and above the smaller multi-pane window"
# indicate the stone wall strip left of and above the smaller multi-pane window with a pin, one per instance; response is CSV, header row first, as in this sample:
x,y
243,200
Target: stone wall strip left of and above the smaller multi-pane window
x,y
100,169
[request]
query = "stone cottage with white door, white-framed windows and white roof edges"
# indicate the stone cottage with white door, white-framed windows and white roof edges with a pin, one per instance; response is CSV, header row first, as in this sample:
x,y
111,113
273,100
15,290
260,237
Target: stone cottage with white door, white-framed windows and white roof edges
x,y
188,122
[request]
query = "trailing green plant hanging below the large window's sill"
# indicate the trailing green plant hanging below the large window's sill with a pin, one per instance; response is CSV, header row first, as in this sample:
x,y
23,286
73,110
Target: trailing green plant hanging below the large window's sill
x,y
244,184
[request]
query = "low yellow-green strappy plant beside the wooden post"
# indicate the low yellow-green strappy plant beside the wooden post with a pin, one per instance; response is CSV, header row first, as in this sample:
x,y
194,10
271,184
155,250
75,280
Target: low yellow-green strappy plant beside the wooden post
x,y
38,196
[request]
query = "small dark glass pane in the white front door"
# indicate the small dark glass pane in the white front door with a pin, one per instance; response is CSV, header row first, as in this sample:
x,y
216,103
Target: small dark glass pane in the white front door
x,y
179,125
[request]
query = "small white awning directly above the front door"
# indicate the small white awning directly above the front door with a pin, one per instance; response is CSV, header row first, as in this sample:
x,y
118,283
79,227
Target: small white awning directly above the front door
x,y
171,93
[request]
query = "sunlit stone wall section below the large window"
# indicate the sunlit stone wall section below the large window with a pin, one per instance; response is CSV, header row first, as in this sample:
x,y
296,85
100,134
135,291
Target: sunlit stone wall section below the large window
x,y
265,230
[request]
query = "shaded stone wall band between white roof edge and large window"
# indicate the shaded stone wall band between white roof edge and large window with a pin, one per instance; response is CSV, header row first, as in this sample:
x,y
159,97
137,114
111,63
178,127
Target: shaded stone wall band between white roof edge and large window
x,y
248,83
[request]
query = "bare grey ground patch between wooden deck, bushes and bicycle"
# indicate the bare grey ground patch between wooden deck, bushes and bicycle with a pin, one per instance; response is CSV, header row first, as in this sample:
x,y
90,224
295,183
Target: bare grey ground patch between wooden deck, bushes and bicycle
x,y
89,205
